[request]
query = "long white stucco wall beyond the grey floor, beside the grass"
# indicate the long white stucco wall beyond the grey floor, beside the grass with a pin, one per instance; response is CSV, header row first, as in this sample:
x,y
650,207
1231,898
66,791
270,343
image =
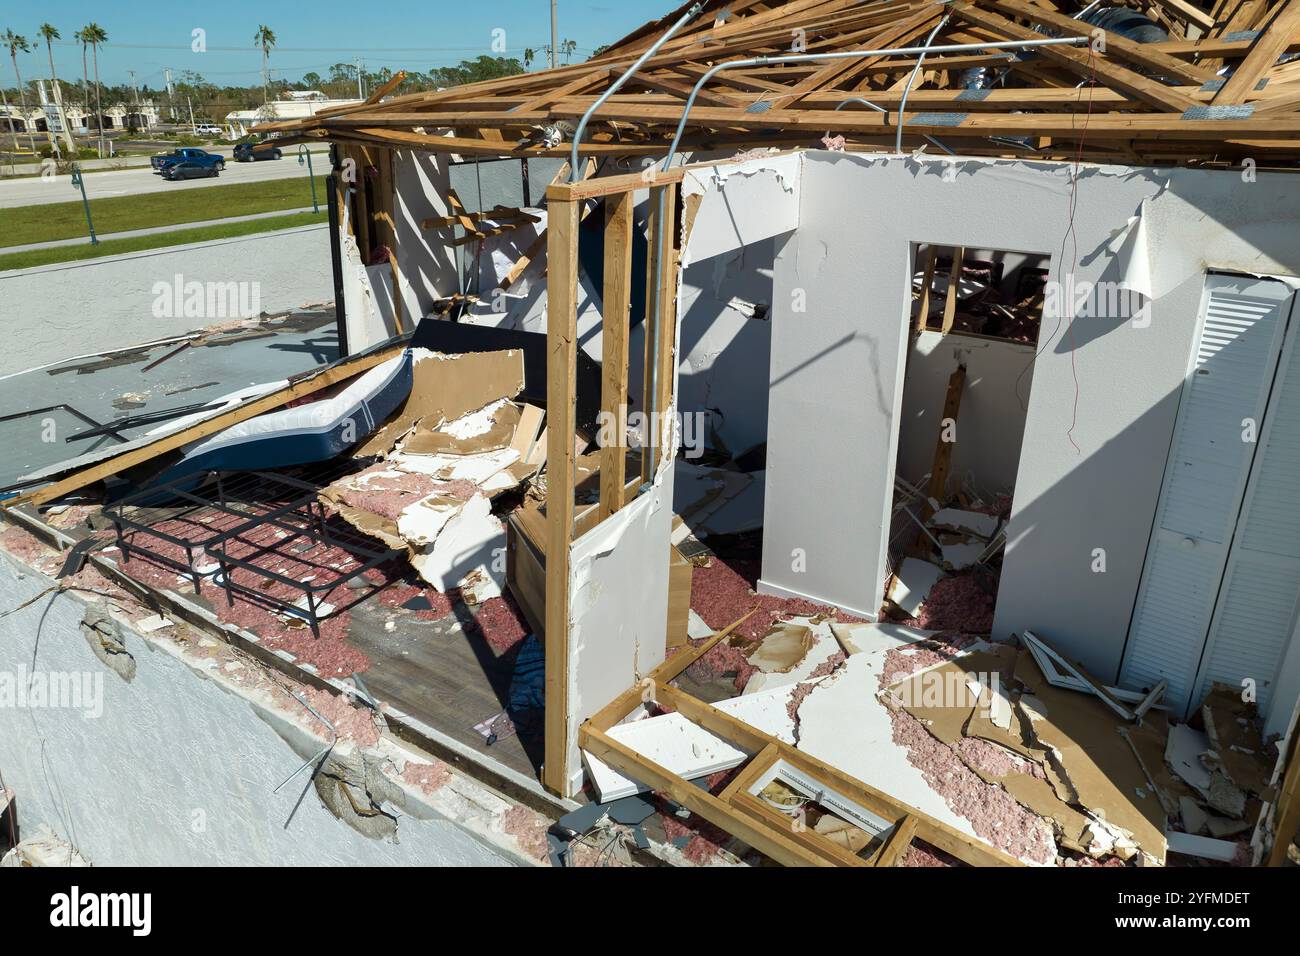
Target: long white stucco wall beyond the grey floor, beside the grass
x,y
55,313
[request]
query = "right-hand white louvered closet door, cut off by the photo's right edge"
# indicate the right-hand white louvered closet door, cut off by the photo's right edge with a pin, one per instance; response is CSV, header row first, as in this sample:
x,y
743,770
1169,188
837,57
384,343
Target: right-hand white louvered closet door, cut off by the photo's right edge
x,y
1256,611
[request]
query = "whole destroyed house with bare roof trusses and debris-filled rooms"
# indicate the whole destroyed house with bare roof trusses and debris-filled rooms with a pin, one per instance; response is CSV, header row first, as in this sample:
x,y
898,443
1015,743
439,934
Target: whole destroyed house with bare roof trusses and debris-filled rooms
x,y
877,416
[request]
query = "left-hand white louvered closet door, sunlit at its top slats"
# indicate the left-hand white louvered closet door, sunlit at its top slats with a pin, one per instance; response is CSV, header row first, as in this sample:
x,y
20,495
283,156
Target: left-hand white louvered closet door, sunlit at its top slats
x,y
1243,322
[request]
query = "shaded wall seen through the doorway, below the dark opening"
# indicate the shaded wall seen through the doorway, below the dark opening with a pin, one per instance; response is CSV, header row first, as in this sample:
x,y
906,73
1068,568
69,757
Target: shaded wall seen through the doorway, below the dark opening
x,y
991,419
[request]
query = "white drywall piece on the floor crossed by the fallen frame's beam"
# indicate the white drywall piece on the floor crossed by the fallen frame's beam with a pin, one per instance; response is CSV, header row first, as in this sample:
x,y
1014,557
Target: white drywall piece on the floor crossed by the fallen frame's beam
x,y
671,742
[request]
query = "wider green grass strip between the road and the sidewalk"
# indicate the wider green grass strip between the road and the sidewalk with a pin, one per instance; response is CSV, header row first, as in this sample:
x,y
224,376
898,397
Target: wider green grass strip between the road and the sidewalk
x,y
163,209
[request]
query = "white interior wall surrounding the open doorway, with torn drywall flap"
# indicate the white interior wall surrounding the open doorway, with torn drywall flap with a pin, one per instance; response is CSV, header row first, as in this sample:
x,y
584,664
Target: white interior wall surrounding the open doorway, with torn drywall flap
x,y
1098,455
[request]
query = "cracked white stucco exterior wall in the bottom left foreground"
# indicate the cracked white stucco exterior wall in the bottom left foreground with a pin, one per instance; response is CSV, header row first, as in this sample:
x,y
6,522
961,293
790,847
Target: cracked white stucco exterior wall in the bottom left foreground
x,y
181,765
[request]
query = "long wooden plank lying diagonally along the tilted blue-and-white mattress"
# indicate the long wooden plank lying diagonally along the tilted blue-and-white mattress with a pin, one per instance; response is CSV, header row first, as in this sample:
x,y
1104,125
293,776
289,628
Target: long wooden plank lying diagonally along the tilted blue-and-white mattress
x,y
306,386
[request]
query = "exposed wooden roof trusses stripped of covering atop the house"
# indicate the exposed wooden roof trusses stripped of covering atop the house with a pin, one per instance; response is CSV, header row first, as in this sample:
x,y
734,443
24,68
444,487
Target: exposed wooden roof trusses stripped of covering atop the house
x,y
1221,88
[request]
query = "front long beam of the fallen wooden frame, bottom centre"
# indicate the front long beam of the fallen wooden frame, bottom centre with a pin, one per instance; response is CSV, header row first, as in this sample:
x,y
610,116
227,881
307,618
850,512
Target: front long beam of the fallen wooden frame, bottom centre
x,y
762,838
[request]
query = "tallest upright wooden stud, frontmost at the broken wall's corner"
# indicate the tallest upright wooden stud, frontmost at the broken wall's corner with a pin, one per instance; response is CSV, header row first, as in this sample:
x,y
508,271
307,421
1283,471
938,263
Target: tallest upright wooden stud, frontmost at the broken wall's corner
x,y
561,388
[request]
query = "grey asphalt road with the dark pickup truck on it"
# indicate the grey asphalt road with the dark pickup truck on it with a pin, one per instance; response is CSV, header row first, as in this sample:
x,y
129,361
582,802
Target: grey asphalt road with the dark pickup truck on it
x,y
128,183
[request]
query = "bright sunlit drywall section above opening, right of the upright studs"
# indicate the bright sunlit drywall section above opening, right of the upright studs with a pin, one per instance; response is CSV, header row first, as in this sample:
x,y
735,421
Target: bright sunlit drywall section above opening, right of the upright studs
x,y
742,204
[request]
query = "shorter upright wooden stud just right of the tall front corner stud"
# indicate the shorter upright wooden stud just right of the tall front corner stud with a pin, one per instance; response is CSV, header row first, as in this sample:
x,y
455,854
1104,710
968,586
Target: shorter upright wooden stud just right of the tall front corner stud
x,y
614,348
